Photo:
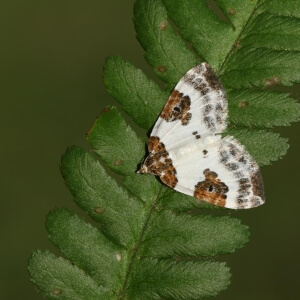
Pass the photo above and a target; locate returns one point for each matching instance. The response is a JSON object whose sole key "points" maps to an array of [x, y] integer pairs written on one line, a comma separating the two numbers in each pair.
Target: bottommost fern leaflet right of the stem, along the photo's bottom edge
{"points": [[171, 279]]}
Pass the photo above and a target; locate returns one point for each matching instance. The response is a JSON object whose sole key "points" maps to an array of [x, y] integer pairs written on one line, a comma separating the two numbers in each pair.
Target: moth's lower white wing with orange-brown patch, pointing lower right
{"points": [[219, 171]]}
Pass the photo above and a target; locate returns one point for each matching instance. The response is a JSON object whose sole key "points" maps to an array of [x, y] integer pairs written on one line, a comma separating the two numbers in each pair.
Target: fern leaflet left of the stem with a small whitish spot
{"points": [[87, 247]]}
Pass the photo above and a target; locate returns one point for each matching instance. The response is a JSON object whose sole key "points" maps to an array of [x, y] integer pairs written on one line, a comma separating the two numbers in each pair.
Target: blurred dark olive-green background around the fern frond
{"points": [[52, 55]]}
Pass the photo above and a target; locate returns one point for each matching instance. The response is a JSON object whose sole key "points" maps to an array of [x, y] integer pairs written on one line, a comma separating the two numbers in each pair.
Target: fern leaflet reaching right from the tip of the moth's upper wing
{"points": [[261, 67]]}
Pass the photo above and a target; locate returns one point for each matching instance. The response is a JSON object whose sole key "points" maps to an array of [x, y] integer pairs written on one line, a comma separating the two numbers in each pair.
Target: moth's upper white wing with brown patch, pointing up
{"points": [[196, 108]]}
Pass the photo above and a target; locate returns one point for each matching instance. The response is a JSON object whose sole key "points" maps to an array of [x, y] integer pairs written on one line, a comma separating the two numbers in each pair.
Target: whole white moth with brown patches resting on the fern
{"points": [[188, 153]]}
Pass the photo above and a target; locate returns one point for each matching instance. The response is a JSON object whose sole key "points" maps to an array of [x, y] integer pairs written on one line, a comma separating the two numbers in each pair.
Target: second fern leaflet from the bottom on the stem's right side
{"points": [[168, 234]]}
